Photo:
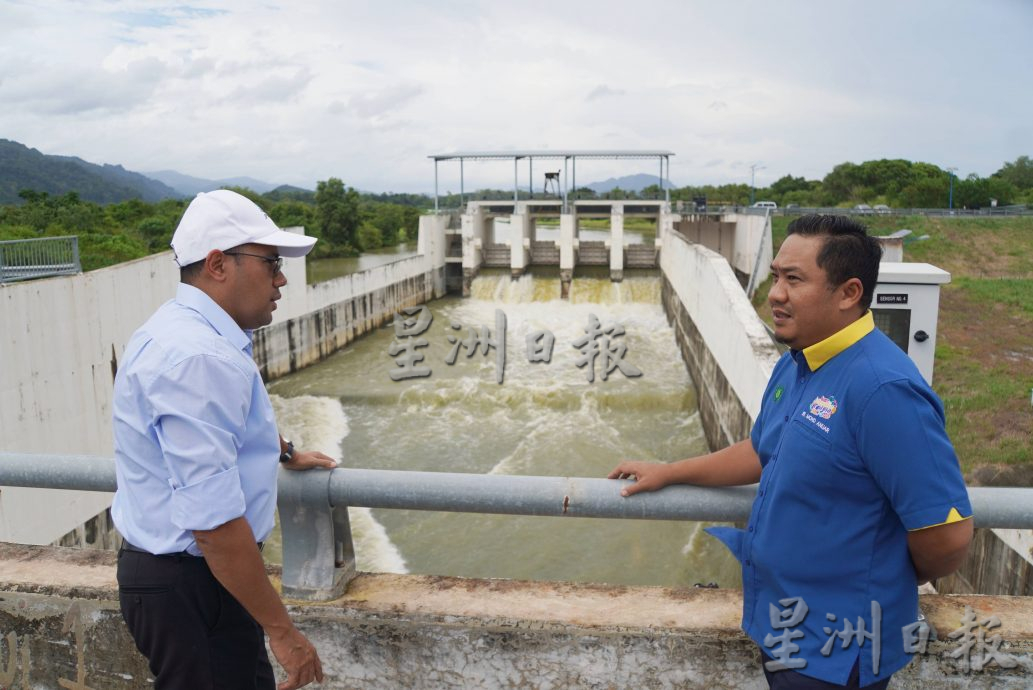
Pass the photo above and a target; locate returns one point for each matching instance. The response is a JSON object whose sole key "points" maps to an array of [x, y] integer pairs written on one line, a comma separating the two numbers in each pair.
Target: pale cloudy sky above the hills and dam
{"points": [[296, 92]]}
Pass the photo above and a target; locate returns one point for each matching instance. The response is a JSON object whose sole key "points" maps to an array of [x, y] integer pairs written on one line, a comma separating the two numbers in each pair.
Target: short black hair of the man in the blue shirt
{"points": [[849, 250]]}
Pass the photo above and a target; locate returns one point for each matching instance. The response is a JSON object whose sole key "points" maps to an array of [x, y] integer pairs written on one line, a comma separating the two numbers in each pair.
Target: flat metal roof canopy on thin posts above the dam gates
{"points": [[571, 156]]}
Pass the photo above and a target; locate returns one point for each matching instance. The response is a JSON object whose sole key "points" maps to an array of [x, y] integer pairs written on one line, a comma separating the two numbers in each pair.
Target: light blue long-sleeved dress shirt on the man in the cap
{"points": [[196, 438]]}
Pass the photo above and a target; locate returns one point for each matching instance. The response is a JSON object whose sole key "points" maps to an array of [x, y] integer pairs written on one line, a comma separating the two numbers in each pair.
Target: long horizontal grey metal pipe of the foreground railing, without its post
{"points": [[575, 497]]}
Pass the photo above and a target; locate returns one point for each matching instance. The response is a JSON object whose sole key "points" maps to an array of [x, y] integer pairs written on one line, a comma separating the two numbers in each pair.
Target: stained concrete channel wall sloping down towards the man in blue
{"points": [[724, 341]]}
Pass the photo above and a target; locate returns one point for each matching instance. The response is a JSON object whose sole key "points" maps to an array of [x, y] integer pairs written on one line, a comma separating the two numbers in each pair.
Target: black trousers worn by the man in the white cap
{"points": [[195, 635]]}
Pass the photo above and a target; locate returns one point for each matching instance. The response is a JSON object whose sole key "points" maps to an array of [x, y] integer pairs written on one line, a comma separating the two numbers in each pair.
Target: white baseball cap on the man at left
{"points": [[224, 219]]}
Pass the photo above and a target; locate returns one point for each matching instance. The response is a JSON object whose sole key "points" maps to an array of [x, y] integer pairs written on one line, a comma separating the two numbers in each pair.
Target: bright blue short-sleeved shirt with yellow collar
{"points": [[855, 455]]}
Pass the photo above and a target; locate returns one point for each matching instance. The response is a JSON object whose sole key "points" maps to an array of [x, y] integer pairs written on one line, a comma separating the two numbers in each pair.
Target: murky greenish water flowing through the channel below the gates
{"points": [[544, 420]]}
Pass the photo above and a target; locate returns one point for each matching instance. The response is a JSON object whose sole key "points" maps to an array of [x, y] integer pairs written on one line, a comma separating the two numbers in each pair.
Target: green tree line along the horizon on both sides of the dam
{"points": [[350, 223]]}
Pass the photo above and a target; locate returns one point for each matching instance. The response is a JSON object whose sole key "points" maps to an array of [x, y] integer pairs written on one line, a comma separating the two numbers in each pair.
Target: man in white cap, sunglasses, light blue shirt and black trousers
{"points": [[197, 449]]}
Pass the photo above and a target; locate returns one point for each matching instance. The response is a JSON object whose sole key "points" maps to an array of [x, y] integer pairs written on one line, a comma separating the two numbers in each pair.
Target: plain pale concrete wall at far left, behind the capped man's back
{"points": [[60, 347]]}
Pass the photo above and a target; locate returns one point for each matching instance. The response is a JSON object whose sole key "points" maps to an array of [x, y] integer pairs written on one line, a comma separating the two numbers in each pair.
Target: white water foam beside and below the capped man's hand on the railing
{"points": [[321, 424]]}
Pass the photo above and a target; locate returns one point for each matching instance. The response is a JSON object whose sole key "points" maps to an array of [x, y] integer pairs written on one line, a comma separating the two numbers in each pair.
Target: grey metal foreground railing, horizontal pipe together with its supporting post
{"points": [[319, 558]]}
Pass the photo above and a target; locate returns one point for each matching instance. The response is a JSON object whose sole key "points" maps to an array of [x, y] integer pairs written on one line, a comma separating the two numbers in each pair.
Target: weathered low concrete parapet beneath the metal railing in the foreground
{"points": [[59, 619]]}
